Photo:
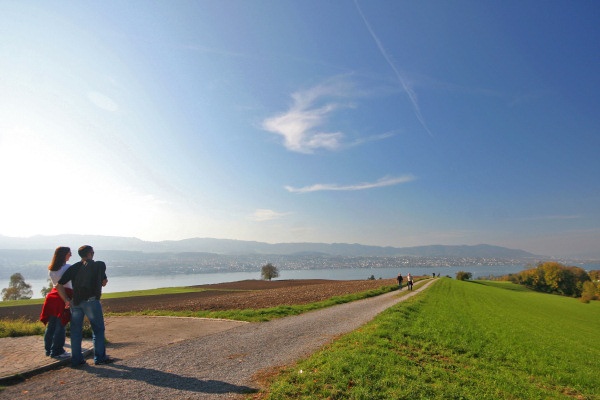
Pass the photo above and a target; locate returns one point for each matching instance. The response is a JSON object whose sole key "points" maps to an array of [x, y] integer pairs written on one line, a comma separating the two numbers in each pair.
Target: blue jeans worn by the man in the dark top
{"points": [[92, 309]]}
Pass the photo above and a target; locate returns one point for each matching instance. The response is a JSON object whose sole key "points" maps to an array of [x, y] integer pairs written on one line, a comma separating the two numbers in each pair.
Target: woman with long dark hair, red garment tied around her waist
{"points": [[54, 314]]}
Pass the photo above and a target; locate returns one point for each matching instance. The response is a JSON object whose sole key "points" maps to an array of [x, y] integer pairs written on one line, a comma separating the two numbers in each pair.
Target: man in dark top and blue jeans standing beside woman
{"points": [[87, 277]]}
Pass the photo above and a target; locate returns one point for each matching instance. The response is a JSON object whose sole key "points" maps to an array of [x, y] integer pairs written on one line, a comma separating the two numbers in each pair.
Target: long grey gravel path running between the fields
{"points": [[219, 366]]}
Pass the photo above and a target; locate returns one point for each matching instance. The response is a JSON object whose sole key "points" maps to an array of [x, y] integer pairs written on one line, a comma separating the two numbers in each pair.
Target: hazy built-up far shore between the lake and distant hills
{"points": [[125, 263]]}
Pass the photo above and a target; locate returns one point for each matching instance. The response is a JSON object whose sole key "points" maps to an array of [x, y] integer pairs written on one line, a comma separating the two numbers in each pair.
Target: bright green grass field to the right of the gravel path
{"points": [[460, 340]]}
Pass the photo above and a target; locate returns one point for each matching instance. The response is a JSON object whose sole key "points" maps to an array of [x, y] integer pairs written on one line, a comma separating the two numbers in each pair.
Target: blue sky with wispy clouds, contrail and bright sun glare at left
{"points": [[388, 123]]}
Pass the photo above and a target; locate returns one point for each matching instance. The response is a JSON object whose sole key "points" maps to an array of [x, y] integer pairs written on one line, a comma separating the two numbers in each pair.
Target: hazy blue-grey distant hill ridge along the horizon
{"points": [[240, 247]]}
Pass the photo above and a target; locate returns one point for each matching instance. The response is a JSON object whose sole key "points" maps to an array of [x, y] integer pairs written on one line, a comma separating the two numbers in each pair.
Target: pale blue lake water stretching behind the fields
{"points": [[126, 283]]}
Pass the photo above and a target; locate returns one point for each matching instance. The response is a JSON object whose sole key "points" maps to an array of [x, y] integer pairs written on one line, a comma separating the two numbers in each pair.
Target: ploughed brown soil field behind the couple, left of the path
{"points": [[226, 296]]}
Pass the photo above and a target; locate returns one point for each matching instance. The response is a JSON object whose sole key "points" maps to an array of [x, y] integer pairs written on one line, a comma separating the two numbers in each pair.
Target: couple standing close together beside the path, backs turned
{"points": [[75, 294]]}
